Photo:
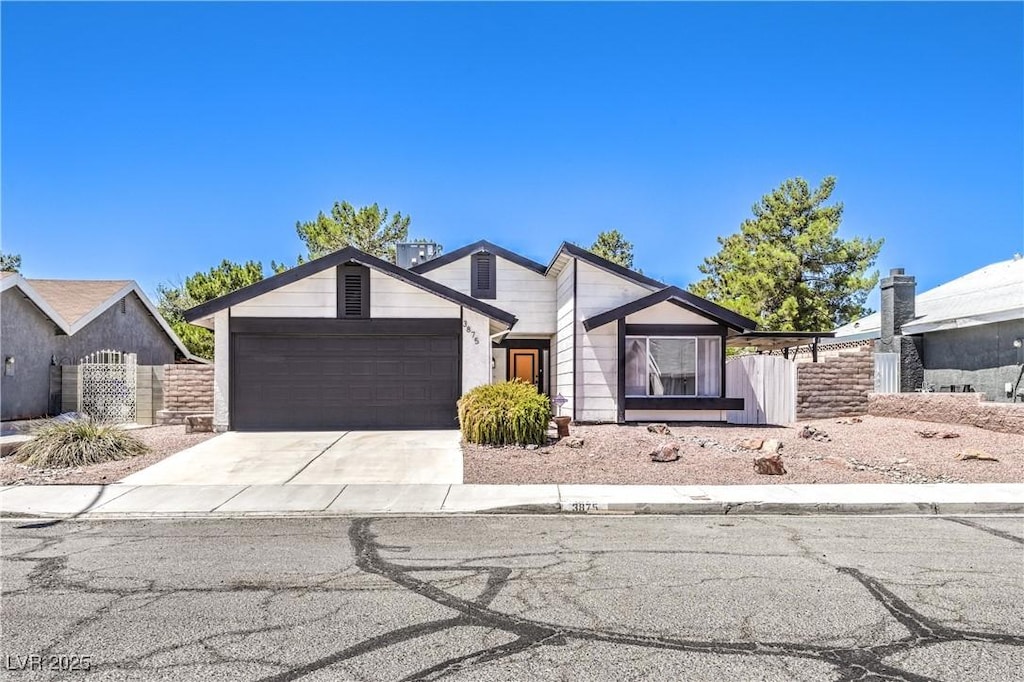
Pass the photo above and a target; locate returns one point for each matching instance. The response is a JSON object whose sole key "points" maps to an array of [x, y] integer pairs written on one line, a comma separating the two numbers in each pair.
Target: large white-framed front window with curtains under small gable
{"points": [[673, 366]]}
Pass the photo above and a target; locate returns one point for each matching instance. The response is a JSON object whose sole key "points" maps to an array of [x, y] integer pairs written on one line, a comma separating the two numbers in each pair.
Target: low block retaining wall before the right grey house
{"points": [[971, 409]]}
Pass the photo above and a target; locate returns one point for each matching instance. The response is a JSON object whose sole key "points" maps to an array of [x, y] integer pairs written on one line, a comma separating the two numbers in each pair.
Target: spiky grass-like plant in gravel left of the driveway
{"points": [[63, 445]]}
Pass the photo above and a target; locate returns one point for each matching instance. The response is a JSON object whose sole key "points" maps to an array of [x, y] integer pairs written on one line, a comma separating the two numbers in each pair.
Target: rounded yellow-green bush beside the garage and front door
{"points": [[511, 413]]}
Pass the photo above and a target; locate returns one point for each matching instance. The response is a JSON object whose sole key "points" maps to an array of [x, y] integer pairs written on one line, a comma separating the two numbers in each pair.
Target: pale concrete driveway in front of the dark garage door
{"points": [[312, 457]]}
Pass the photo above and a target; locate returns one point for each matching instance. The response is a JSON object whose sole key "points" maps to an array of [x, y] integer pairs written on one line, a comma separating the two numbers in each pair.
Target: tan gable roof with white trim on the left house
{"points": [[72, 305]]}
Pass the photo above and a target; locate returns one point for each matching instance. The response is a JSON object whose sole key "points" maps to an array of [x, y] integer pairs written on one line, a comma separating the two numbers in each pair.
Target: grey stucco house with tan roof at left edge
{"points": [[49, 323]]}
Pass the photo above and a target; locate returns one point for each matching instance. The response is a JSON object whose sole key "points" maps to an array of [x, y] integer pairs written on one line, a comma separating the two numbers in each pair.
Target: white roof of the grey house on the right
{"points": [[994, 293]]}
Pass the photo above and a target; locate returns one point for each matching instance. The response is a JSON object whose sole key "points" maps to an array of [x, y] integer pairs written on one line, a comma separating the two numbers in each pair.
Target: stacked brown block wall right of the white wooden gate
{"points": [[837, 387]]}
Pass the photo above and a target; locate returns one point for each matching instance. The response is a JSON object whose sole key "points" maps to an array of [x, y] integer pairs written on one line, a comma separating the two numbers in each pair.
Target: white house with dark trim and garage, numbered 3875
{"points": [[353, 342]]}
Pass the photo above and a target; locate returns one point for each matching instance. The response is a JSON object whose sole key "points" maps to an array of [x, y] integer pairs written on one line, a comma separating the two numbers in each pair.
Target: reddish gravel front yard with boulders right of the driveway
{"points": [[874, 451]]}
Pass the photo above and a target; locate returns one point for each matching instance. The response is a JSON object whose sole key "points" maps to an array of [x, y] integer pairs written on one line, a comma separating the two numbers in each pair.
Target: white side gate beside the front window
{"points": [[769, 387]]}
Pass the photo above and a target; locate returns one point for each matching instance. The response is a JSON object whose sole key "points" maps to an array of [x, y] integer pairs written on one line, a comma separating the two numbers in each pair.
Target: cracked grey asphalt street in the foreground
{"points": [[516, 599]]}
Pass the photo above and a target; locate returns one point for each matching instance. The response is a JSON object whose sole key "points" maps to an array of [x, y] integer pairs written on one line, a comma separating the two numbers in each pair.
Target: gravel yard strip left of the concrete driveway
{"points": [[163, 442]]}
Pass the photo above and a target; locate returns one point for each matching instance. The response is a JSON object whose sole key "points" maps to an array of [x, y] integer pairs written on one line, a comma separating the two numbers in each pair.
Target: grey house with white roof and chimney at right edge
{"points": [[966, 333]]}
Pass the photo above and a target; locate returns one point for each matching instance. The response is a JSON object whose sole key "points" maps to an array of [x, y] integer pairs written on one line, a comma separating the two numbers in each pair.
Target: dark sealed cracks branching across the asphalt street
{"points": [[852, 664]]}
